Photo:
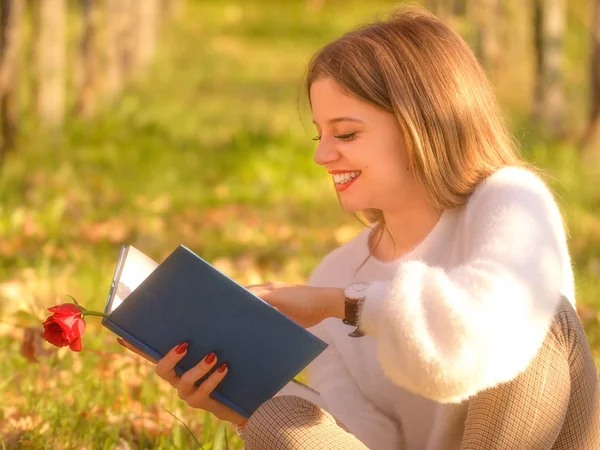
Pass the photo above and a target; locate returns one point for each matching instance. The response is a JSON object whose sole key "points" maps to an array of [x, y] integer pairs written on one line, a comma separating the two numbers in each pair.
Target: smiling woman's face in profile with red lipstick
{"points": [[363, 148]]}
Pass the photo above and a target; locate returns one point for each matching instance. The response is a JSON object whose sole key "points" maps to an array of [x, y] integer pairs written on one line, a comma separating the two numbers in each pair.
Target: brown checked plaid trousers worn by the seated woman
{"points": [[554, 404]]}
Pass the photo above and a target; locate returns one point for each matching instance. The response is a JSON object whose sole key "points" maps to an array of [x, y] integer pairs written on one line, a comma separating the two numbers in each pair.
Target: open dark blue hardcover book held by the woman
{"points": [[155, 307]]}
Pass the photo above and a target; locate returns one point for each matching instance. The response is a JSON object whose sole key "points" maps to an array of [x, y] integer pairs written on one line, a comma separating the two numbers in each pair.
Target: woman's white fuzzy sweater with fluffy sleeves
{"points": [[466, 309]]}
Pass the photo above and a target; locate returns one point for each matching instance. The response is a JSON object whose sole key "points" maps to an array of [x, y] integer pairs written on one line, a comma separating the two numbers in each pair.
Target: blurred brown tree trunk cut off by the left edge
{"points": [[11, 12]]}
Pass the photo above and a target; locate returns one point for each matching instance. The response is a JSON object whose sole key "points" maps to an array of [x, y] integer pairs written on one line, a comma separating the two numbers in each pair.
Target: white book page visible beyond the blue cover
{"points": [[136, 268]]}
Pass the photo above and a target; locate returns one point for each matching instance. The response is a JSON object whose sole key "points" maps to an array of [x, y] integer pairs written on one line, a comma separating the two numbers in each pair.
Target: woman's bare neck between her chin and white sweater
{"points": [[403, 231]]}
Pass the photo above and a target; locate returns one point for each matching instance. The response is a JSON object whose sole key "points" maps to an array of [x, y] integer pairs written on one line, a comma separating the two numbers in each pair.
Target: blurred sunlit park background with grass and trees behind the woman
{"points": [[160, 122]]}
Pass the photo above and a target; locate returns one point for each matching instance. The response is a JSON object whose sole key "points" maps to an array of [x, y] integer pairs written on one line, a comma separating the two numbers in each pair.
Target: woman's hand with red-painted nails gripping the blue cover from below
{"points": [[194, 396]]}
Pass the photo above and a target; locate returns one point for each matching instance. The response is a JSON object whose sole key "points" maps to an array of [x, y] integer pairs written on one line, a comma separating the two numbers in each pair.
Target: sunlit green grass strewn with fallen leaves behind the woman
{"points": [[212, 148]]}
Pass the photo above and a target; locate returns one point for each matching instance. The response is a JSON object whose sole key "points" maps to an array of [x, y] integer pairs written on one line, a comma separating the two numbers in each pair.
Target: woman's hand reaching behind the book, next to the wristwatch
{"points": [[306, 305]]}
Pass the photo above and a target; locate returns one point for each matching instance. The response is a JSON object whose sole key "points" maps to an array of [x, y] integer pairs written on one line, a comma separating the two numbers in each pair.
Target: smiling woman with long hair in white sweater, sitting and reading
{"points": [[467, 336]]}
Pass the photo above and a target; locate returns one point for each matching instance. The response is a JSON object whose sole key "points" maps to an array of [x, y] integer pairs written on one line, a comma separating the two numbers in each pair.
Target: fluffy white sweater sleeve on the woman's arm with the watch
{"points": [[448, 334]]}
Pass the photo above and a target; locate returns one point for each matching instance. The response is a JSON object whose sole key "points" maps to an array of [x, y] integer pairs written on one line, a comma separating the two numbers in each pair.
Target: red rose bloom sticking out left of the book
{"points": [[65, 326]]}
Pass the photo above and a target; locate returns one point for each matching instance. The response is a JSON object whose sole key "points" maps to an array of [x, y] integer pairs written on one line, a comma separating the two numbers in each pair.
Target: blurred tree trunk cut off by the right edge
{"points": [[594, 115]]}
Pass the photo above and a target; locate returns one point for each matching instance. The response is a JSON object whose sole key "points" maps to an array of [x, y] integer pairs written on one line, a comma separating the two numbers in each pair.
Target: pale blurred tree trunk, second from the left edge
{"points": [[50, 55]]}
